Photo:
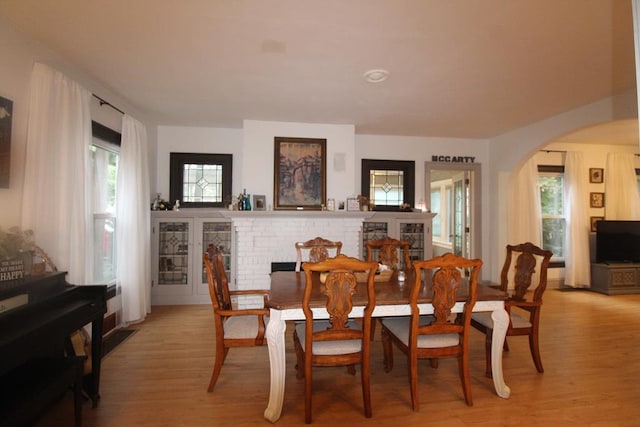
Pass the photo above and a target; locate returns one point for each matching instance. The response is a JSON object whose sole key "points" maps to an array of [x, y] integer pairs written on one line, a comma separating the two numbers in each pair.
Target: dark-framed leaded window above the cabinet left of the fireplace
{"points": [[201, 180]]}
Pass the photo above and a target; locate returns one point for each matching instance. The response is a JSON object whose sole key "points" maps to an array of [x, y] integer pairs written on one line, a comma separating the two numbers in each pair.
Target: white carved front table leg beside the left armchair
{"points": [[275, 341]]}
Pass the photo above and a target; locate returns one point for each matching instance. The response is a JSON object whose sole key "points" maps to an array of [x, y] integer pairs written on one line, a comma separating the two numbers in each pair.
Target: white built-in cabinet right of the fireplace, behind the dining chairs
{"points": [[414, 227]]}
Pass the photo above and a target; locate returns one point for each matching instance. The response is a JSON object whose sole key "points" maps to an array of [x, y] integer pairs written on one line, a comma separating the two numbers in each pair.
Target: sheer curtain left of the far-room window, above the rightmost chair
{"points": [[525, 218]]}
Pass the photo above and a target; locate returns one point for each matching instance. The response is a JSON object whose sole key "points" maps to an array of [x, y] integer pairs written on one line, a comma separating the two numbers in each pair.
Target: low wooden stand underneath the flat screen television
{"points": [[615, 278]]}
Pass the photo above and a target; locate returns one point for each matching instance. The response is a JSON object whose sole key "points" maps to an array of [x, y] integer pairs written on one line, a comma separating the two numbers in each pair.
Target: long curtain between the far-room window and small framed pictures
{"points": [[577, 261]]}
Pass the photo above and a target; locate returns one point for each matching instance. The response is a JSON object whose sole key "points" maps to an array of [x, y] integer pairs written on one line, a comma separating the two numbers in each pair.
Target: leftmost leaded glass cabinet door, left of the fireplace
{"points": [[173, 253]]}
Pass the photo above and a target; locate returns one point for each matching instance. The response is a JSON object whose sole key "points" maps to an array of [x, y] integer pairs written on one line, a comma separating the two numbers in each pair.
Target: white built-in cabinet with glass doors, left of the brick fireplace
{"points": [[178, 240]]}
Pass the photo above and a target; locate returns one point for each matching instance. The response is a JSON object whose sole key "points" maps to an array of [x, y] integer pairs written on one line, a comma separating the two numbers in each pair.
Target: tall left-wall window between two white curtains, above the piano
{"points": [[104, 155]]}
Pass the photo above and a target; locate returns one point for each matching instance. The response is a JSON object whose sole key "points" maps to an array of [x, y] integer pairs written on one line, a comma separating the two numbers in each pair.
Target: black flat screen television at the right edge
{"points": [[617, 241]]}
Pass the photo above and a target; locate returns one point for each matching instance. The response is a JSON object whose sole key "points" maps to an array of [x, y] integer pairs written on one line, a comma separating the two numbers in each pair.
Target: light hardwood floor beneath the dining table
{"points": [[590, 346]]}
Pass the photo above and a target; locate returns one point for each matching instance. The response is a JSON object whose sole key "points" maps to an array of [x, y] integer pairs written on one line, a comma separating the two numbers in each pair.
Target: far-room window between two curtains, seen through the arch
{"points": [[551, 185]]}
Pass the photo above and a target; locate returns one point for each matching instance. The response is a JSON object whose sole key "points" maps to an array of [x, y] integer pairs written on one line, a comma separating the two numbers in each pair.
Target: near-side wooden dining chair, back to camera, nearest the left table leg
{"points": [[340, 340]]}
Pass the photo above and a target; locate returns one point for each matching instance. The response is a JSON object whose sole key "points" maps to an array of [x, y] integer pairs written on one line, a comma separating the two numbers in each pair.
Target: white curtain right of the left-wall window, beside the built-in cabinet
{"points": [[133, 222]]}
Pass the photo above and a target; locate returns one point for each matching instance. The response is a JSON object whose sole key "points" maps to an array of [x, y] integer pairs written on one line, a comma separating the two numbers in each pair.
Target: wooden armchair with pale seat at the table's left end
{"points": [[234, 327]]}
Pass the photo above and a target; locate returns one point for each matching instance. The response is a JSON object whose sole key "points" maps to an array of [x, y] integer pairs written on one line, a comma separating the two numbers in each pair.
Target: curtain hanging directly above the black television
{"points": [[621, 188]]}
